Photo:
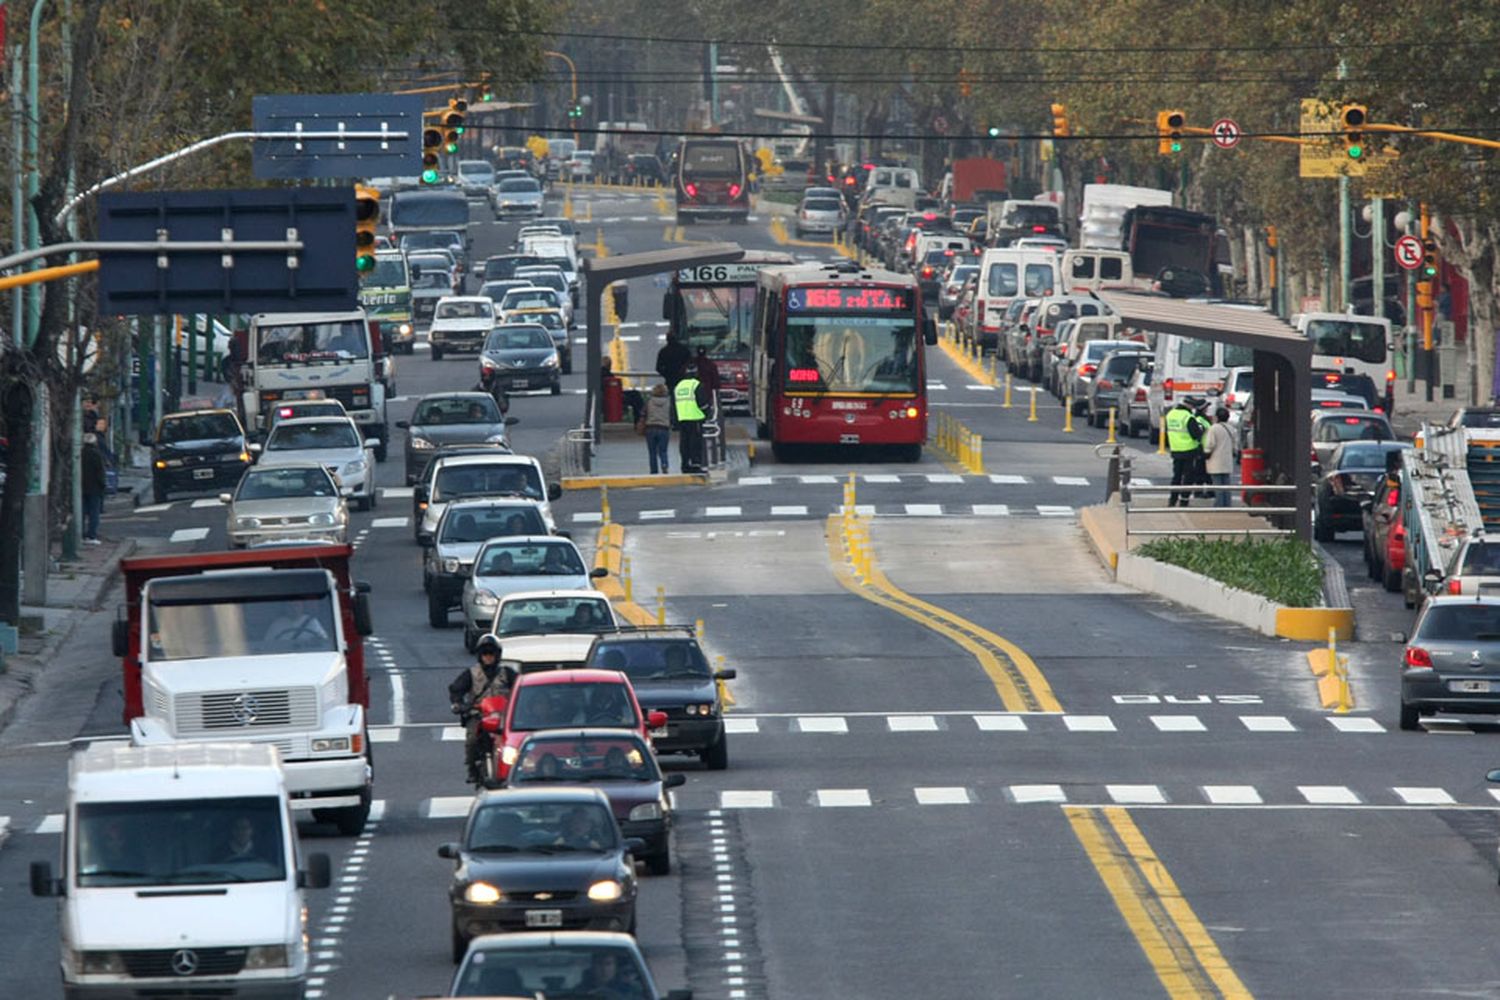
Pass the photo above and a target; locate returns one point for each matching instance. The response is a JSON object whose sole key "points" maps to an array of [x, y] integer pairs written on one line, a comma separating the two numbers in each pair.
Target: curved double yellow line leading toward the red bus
{"points": [[1016, 677]]}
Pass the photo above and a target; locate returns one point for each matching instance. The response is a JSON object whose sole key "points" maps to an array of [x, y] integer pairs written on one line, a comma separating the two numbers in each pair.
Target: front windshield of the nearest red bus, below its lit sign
{"points": [[851, 355]]}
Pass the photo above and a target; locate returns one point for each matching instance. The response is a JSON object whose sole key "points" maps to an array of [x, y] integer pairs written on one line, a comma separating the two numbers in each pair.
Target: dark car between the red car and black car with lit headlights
{"points": [[617, 762]]}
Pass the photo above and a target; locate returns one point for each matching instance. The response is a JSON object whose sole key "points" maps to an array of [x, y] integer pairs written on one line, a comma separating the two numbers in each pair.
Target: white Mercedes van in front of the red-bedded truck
{"points": [[181, 875]]}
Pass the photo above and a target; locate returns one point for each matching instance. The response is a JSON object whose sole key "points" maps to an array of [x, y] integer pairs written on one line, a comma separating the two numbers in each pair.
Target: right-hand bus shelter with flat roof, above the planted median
{"points": [[1283, 380]]}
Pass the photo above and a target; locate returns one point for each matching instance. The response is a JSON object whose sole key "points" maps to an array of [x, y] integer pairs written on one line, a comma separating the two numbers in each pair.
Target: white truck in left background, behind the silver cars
{"points": [[317, 356]]}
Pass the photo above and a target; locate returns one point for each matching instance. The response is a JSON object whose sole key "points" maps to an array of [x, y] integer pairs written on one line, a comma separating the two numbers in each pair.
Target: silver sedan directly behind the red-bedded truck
{"points": [[287, 501]]}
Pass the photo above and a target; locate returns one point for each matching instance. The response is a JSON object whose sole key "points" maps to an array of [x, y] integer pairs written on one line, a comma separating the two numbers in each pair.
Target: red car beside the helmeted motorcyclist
{"points": [[569, 699]]}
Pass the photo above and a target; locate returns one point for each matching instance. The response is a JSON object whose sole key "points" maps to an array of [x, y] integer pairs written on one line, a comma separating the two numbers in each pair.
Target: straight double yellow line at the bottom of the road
{"points": [[1178, 947]]}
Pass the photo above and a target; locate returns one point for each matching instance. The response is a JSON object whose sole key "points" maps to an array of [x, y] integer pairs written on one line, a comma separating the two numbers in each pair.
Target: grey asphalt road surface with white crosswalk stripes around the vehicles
{"points": [[1189, 822]]}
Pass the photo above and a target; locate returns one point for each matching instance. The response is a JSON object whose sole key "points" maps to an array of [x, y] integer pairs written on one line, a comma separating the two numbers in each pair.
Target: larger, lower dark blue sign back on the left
{"points": [[320, 277]]}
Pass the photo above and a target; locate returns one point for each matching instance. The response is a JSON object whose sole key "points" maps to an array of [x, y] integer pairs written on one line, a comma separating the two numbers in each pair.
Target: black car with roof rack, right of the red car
{"points": [[670, 672]]}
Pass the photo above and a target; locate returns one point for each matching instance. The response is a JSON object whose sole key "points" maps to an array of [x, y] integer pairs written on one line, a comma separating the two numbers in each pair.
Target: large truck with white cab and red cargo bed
{"points": [[259, 647]]}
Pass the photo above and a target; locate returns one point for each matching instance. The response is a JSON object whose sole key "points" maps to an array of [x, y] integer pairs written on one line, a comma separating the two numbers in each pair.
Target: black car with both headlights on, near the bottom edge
{"points": [[541, 858]]}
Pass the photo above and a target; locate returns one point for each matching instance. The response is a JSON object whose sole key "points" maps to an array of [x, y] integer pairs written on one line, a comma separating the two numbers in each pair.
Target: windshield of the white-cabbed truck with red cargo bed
{"points": [[247, 626]]}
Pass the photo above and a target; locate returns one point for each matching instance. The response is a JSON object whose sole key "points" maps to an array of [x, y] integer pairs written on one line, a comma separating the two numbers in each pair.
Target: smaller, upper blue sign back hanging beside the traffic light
{"points": [[281, 160]]}
